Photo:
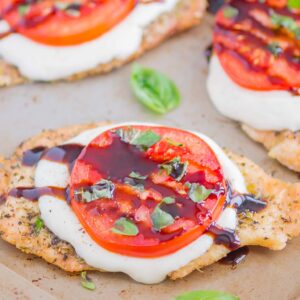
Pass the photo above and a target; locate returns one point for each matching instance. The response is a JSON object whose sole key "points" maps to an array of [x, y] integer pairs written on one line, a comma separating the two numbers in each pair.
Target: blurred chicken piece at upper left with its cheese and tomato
{"points": [[51, 40]]}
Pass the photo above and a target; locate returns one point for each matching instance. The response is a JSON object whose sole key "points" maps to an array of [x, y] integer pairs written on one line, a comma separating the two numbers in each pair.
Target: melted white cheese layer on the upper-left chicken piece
{"points": [[42, 62]]}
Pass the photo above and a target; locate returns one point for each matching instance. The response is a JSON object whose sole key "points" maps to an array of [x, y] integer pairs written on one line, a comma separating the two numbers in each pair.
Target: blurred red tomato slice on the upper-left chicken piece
{"points": [[48, 23]]}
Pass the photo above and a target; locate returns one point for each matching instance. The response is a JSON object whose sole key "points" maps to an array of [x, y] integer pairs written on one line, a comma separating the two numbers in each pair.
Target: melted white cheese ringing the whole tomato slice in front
{"points": [[61, 220]]}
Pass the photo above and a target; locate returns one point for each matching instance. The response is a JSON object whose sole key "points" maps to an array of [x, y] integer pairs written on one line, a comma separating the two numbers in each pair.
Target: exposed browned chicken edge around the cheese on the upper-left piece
{"points": [[186, 14]]}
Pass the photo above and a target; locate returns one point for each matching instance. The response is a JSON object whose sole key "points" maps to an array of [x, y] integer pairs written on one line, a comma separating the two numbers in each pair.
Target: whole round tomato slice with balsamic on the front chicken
{"points": [[108, 157]]}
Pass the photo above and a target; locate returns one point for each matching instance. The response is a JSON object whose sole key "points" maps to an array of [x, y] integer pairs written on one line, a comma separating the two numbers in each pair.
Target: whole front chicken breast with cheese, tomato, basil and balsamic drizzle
{"points": [[146, 200]]}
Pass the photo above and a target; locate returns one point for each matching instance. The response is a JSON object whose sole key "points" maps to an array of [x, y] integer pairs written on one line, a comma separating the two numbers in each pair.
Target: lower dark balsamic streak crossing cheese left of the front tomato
{"points": [[34, 193]]}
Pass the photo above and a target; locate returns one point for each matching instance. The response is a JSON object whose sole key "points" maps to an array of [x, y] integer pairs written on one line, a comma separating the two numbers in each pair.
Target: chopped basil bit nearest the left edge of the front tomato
{"points": [[102, 189]]}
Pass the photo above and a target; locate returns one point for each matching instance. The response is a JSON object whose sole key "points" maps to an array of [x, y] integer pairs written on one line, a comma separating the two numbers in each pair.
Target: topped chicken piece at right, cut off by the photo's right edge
{"points": [[254, 74]]}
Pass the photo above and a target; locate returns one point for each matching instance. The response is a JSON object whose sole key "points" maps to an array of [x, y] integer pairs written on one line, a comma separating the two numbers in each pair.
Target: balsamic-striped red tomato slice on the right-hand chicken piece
{"points": [[252, 50]]}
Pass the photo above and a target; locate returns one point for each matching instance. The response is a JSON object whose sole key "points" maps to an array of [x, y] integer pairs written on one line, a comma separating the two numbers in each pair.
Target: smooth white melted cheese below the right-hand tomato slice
{"points": [[264, 110]]}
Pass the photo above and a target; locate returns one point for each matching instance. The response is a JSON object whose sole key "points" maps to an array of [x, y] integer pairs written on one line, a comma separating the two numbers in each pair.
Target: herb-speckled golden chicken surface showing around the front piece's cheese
{"points": [[270, 228]]}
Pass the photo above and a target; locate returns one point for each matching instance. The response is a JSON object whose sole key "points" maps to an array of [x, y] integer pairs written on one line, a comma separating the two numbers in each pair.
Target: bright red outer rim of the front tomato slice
{"points": [[140, 250]]}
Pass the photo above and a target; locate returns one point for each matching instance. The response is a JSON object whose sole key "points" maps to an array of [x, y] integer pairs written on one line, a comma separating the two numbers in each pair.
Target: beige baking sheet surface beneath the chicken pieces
{"points": [[26, 110]]}
